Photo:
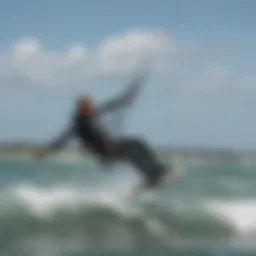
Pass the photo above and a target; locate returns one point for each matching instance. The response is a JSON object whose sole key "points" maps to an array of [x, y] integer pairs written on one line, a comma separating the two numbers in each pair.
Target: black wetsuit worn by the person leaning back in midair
{"points": [[101, 144]]}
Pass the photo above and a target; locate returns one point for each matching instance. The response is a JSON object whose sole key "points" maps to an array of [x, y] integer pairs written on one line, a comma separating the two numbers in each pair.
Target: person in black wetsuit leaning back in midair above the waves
{"points": [[108, 150]]}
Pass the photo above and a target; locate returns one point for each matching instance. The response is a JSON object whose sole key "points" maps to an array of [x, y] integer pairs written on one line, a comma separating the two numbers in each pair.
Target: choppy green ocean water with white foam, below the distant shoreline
{"points": [[67, 205]]}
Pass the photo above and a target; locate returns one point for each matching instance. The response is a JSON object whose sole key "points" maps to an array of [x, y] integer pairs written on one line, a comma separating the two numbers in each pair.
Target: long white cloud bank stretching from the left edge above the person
{"points": [[28, 59]]}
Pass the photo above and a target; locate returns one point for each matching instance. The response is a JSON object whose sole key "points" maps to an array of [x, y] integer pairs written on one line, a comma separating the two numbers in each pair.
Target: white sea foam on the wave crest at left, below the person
{"points": [[45, 201]]}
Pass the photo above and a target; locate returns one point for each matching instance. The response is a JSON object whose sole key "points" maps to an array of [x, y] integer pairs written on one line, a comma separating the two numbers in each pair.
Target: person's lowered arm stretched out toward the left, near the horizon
{"points": [[56, 144]]}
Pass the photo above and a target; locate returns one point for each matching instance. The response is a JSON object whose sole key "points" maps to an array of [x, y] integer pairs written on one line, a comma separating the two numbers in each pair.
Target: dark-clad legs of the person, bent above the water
{"points": [[143, 158]]}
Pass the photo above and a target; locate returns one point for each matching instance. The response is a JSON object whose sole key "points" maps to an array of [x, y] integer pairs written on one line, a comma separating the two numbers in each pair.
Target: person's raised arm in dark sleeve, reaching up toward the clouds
{"points": [[125, 99]]}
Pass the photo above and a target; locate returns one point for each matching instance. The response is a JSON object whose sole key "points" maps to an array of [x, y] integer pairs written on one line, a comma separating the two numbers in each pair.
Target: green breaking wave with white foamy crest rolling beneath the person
{"points": [[104, 216]]}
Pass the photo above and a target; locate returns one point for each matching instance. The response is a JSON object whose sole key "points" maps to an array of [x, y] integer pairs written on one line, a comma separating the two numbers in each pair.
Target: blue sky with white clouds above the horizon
{"points": [[202, 56]]}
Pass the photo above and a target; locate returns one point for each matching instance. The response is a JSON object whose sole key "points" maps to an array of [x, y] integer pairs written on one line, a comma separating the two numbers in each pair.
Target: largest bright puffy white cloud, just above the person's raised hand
{"points": [[122, 53]]}
